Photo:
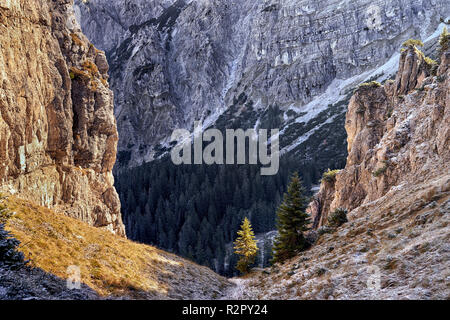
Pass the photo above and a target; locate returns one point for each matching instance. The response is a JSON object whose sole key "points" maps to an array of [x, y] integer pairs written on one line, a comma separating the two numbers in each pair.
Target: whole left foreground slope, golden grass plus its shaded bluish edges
{"points": [[111, 267]]}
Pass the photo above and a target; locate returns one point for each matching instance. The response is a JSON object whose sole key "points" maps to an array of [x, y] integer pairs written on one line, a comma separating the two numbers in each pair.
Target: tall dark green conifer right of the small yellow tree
{"points": [[292, 221]]}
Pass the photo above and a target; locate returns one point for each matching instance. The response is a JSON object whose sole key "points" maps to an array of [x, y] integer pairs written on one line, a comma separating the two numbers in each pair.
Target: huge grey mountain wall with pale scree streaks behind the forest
{"points": [[174, 62]]}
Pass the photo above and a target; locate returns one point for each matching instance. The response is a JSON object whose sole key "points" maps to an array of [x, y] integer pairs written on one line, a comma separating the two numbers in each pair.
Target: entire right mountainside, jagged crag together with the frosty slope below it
{"points": [[396, 185]]}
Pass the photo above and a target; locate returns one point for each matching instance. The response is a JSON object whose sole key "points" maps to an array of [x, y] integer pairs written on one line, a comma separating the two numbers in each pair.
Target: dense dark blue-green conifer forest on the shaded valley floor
{"points": [[196, 210]]}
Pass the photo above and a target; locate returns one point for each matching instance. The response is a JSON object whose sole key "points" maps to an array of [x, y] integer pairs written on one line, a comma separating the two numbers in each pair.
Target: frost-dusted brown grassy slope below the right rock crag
{"points": [[404, 235]]}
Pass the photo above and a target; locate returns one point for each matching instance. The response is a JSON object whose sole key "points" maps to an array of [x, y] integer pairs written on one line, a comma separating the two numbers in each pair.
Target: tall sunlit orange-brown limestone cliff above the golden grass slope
{"points": [[58, 135]]}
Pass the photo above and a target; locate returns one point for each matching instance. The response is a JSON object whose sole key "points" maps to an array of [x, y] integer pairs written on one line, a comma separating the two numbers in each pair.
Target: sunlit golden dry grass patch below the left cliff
{"points": [[109, 264]]}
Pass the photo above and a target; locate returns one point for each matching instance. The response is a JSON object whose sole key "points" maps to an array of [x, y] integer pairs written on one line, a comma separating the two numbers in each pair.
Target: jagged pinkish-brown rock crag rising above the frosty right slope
{"points": [[398, 135]]}
